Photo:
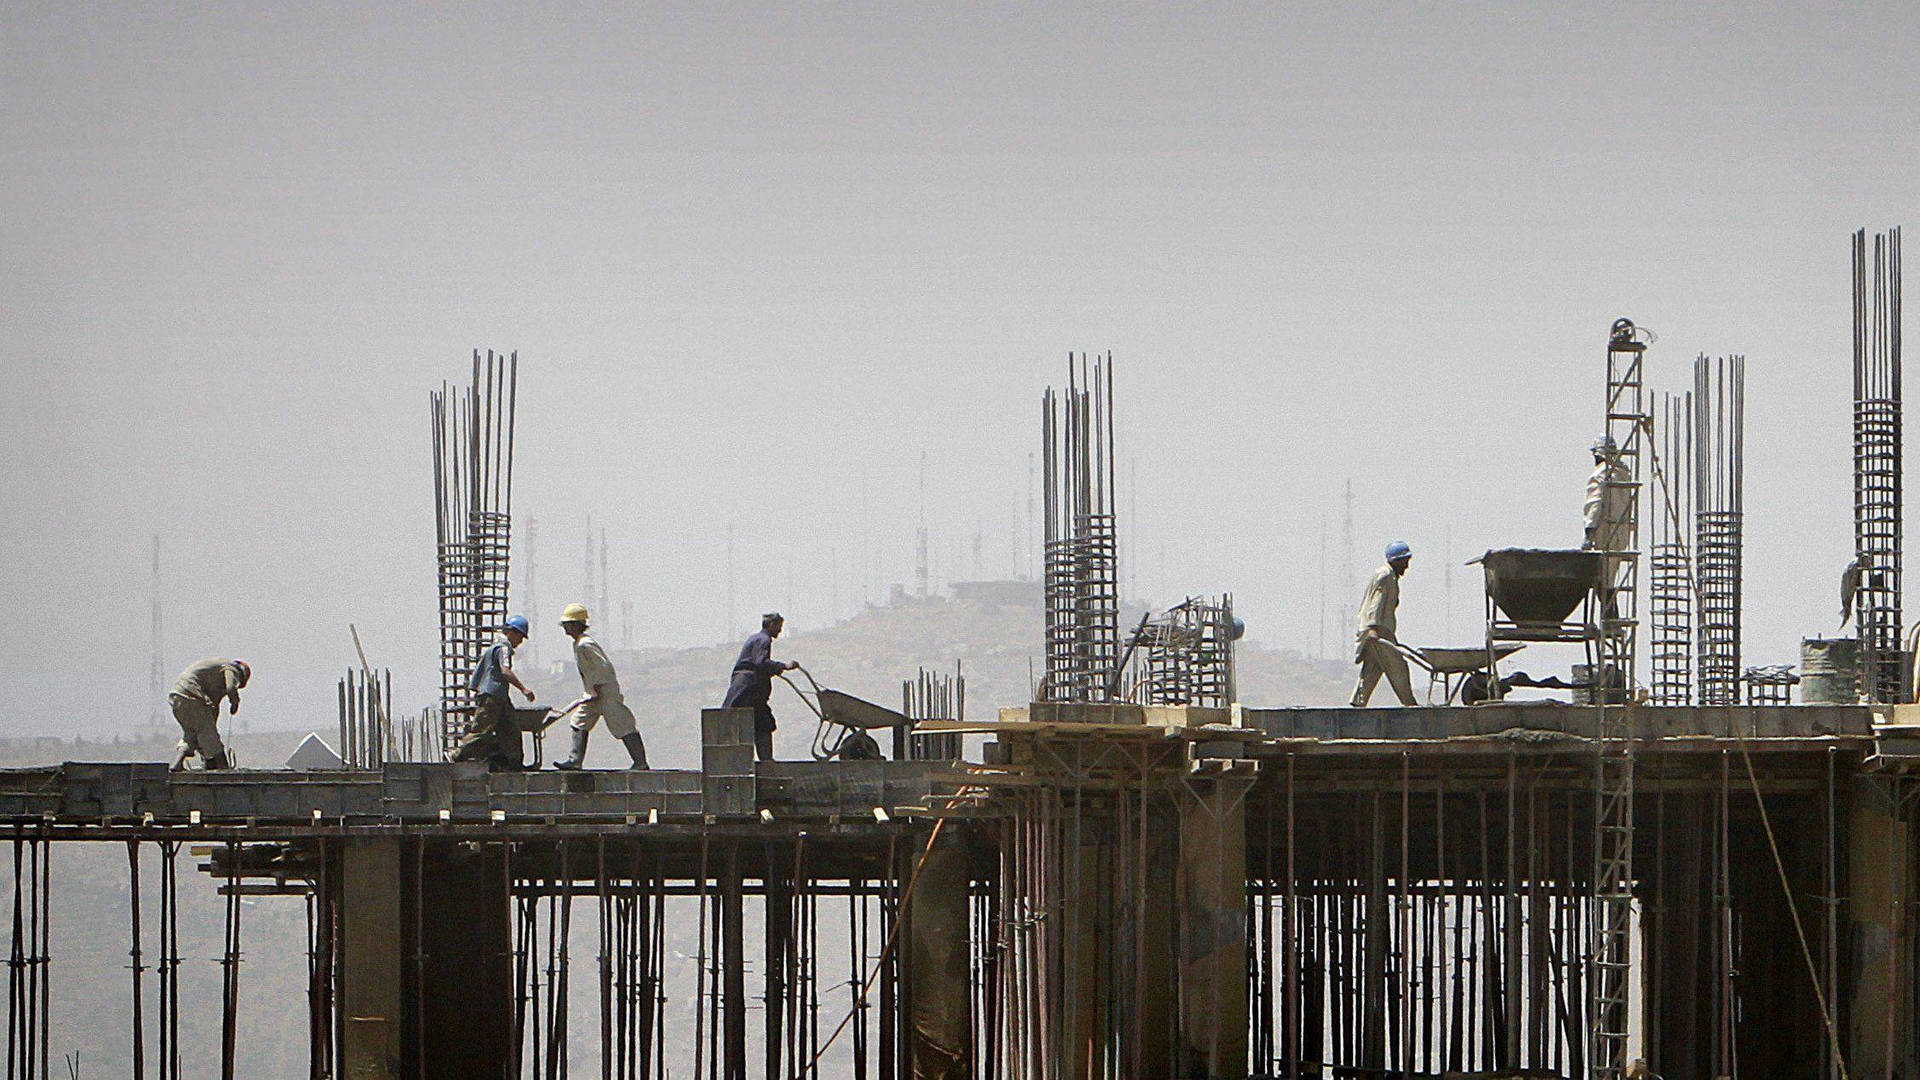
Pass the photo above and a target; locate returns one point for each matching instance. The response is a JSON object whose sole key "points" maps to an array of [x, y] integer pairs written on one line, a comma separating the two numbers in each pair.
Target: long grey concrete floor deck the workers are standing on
{"points": [[468, 798]]}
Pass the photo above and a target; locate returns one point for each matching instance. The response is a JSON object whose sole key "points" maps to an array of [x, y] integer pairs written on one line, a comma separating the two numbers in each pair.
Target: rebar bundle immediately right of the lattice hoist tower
{"points": [[1671, 556]]}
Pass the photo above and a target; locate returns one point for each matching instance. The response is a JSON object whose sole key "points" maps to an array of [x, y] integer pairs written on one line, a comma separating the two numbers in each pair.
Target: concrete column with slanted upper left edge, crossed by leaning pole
{"points": [[938, 1006]]}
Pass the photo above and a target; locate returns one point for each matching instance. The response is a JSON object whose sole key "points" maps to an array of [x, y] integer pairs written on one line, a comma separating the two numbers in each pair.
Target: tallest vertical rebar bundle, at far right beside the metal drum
{"points": [[1877, 462]]}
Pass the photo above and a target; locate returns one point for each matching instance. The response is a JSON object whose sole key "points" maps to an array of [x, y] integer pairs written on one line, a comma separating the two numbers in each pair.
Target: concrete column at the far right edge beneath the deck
{"points": [[1881, 873]]}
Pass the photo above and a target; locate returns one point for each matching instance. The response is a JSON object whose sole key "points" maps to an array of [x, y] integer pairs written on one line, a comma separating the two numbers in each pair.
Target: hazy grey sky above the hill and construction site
{"points": [[757, 260]]}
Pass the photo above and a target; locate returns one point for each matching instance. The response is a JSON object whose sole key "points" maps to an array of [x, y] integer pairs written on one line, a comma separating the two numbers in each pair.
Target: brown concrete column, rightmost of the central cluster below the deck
{"points": [[1212, 931]]}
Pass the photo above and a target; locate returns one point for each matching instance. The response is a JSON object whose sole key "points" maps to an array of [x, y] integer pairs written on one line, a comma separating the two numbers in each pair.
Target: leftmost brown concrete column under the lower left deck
{"points": [[372, 960]]}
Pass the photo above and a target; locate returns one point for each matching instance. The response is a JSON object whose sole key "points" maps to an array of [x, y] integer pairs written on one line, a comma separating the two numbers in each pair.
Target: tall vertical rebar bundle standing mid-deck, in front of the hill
{"points": [[1080, 537]]}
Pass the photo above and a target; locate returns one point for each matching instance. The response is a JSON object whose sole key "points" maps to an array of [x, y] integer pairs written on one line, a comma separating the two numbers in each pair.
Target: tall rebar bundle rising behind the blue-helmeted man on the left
{"points": [[473, 504]]}
